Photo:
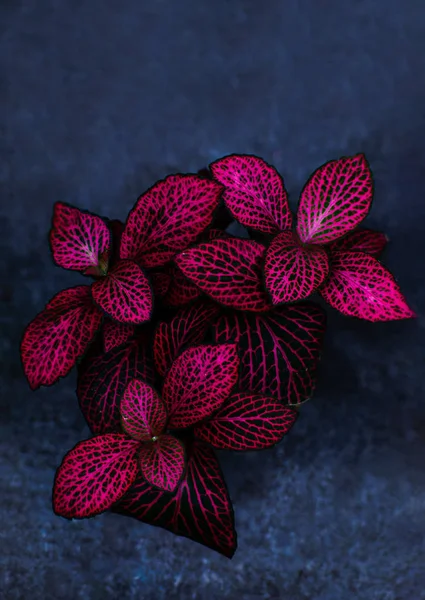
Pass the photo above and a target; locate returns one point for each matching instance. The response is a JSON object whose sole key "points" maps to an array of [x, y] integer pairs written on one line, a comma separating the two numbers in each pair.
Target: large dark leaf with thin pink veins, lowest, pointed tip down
{"points": [[200, 509]]}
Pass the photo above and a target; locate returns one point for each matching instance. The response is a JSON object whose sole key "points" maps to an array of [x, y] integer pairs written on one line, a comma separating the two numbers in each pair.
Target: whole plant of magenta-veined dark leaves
{"points": [[190, 339]]}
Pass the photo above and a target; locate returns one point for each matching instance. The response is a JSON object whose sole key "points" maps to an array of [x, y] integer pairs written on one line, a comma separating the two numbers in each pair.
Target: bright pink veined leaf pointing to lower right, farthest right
{"points": [[360, 286]]}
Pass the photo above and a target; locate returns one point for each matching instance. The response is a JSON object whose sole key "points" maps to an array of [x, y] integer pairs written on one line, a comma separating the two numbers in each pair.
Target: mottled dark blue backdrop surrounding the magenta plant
{"points": [[98, 100]]}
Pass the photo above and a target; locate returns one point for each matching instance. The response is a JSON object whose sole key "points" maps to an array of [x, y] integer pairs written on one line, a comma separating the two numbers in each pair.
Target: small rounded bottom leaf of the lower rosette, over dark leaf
{"points": [[162, 462]]}
